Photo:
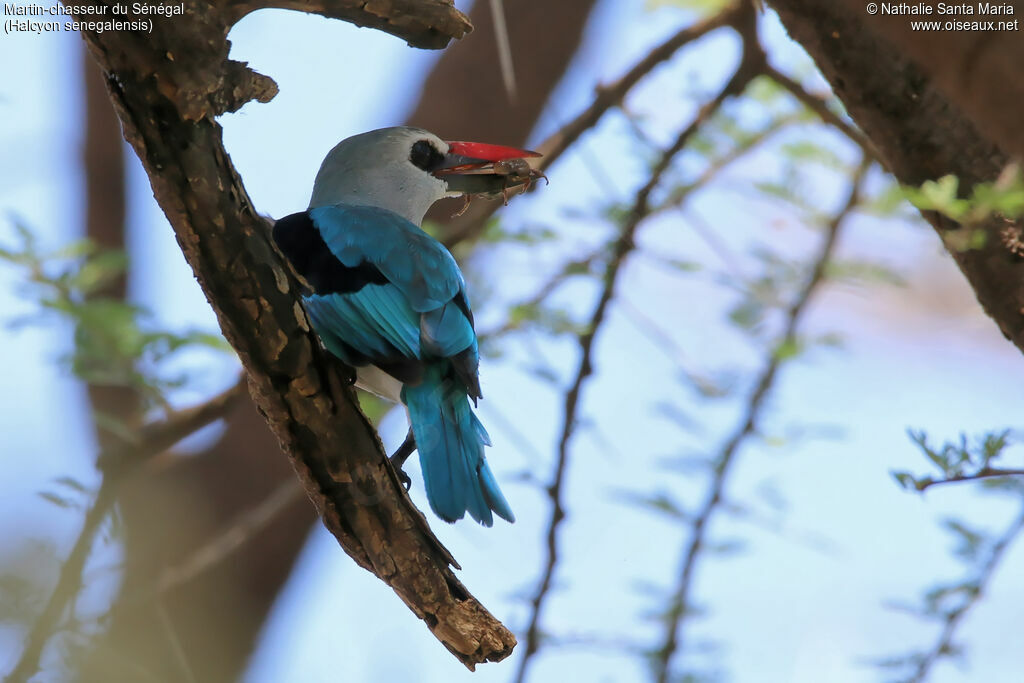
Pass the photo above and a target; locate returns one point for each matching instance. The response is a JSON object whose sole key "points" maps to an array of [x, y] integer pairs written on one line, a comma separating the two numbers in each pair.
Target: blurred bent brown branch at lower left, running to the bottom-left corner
{"points": [[154, 439]]}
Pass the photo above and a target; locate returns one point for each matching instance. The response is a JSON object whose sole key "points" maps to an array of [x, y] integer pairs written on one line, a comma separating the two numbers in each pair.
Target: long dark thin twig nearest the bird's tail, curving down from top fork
{"points": [[623, 248]]}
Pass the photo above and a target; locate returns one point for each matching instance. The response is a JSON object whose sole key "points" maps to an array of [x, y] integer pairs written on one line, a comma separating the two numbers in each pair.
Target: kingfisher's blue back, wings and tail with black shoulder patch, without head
{"points": [[386, 293]]}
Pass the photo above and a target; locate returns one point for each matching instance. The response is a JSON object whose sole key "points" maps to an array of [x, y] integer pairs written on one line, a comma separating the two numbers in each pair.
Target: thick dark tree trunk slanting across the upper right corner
{"points": [[919, 116]]}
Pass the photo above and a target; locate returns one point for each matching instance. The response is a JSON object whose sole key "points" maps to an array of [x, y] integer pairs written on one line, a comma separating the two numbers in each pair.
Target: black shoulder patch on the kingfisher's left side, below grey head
{"points": [[303, 244]]}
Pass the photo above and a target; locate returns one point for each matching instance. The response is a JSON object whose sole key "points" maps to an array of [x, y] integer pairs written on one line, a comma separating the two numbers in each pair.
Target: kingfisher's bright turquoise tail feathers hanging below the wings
{"points": [[451, 442]]}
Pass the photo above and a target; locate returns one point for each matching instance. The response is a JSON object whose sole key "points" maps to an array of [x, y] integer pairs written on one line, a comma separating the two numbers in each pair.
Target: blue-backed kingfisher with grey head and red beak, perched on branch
{"points": [[390, 301]]}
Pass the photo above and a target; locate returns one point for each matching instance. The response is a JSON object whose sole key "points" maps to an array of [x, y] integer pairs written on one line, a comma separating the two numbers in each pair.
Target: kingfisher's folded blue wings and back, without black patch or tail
{"points": [[419, 312]]}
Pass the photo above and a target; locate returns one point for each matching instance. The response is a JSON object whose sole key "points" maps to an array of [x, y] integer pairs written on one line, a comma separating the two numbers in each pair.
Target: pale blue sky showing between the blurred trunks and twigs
{"points": [[803, 605]]}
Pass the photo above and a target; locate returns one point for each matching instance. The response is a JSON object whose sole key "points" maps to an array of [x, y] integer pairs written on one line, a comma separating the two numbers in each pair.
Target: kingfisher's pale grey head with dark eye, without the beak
{"points": [[389, 168]]}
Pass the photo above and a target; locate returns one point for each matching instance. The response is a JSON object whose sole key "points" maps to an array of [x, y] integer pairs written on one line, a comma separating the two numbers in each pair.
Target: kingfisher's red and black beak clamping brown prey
{"points": [[476, 169]]}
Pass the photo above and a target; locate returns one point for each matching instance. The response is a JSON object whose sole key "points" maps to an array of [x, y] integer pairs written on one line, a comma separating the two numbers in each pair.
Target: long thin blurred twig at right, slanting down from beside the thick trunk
{"points": [[747, 428]]}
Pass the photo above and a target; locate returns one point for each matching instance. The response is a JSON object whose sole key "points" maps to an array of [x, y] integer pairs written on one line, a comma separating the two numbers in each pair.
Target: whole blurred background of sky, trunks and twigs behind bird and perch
{"points": [[705, 344]]}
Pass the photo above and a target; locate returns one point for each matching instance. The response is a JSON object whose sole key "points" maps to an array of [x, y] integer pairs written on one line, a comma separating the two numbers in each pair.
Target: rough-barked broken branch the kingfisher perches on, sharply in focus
{"points": [[167, 87]]}
